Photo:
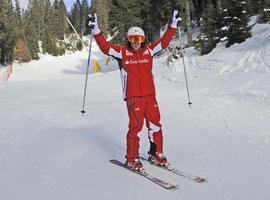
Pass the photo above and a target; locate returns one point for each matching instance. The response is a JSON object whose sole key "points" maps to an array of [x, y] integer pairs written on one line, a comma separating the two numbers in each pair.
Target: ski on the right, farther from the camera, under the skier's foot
{"points": [[184, 174]]}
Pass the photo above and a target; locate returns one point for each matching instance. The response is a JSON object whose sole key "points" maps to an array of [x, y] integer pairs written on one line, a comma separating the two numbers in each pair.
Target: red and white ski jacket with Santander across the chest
{"points": [[136, 66]]}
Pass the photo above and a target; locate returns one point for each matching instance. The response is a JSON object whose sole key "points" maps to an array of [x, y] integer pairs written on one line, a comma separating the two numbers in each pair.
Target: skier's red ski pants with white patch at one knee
{"points": [[140, 108]]}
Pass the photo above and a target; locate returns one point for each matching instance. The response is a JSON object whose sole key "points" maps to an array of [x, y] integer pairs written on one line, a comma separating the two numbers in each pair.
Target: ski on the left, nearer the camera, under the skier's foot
{"points": [[146, 175]]}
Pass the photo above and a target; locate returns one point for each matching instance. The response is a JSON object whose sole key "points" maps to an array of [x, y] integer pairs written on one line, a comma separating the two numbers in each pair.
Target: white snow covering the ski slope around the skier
{"points": [[48, 150]]}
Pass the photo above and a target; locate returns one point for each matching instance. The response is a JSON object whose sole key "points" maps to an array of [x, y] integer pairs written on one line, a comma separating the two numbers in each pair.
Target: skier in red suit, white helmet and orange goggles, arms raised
{"points": [[135, 63]]}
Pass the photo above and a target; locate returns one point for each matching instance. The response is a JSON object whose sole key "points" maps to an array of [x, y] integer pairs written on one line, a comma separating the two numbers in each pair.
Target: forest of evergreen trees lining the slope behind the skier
{"points": [[43, 26]]}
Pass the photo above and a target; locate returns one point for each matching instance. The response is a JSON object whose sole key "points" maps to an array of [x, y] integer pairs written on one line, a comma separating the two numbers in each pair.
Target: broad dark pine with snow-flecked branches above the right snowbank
{"points": [[237, 22]]}
